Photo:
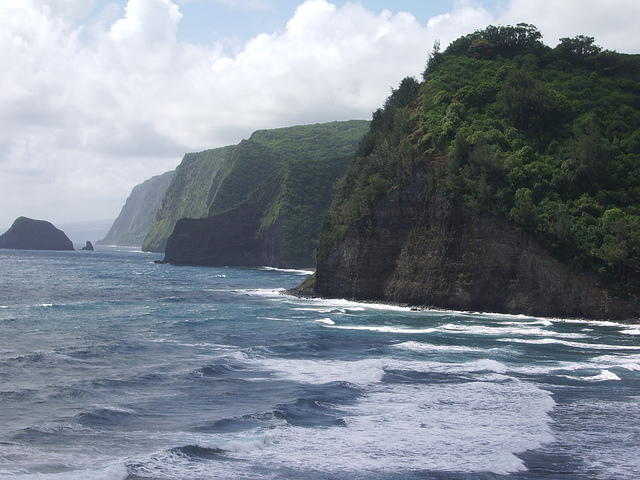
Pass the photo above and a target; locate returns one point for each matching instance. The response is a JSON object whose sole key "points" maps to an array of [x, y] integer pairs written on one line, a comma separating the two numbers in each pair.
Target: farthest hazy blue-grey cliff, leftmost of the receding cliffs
{"points": [[138, 212]]}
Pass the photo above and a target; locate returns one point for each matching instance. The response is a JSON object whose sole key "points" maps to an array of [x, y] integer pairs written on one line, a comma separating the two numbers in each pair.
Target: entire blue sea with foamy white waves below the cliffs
{"points": [[112, 367]]}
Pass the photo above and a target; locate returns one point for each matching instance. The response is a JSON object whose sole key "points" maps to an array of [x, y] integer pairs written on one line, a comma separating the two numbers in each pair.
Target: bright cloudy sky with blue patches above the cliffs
{"points": [[99, 95]]}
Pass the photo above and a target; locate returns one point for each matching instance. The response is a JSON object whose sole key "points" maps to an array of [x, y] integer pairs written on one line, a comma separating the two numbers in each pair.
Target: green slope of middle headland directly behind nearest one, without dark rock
{"points": [[299, 165]]}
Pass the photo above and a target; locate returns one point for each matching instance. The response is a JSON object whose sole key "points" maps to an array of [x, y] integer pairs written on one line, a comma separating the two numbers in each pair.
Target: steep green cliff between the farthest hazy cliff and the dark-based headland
{"points": [[189, 194]]}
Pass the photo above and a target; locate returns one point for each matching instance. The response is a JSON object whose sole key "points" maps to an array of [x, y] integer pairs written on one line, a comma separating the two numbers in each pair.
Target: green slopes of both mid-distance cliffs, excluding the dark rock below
{"points": [[291, 170]]}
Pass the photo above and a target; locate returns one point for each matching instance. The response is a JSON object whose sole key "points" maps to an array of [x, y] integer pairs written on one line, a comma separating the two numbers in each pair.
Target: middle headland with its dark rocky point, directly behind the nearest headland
{"points": [[268, 198]]}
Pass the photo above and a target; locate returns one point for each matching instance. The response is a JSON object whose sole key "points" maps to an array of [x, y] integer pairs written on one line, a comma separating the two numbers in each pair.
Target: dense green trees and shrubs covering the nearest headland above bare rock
{"points": [[547, 137]]}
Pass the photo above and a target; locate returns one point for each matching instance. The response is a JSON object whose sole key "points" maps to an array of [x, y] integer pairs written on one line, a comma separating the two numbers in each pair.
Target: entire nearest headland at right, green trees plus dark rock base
{"points": [[506, 181]]}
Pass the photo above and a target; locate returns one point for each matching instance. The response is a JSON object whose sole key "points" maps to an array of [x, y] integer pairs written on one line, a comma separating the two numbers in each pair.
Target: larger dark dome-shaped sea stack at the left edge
{"points": [[29, 234]]}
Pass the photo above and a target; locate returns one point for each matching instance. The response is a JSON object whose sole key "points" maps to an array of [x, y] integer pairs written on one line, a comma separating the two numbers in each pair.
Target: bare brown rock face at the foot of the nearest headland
{"points": [[420, 249]]}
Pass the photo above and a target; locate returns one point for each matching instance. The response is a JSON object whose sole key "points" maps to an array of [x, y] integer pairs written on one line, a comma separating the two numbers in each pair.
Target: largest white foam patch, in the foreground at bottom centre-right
{"points": [[401, 428]]}
